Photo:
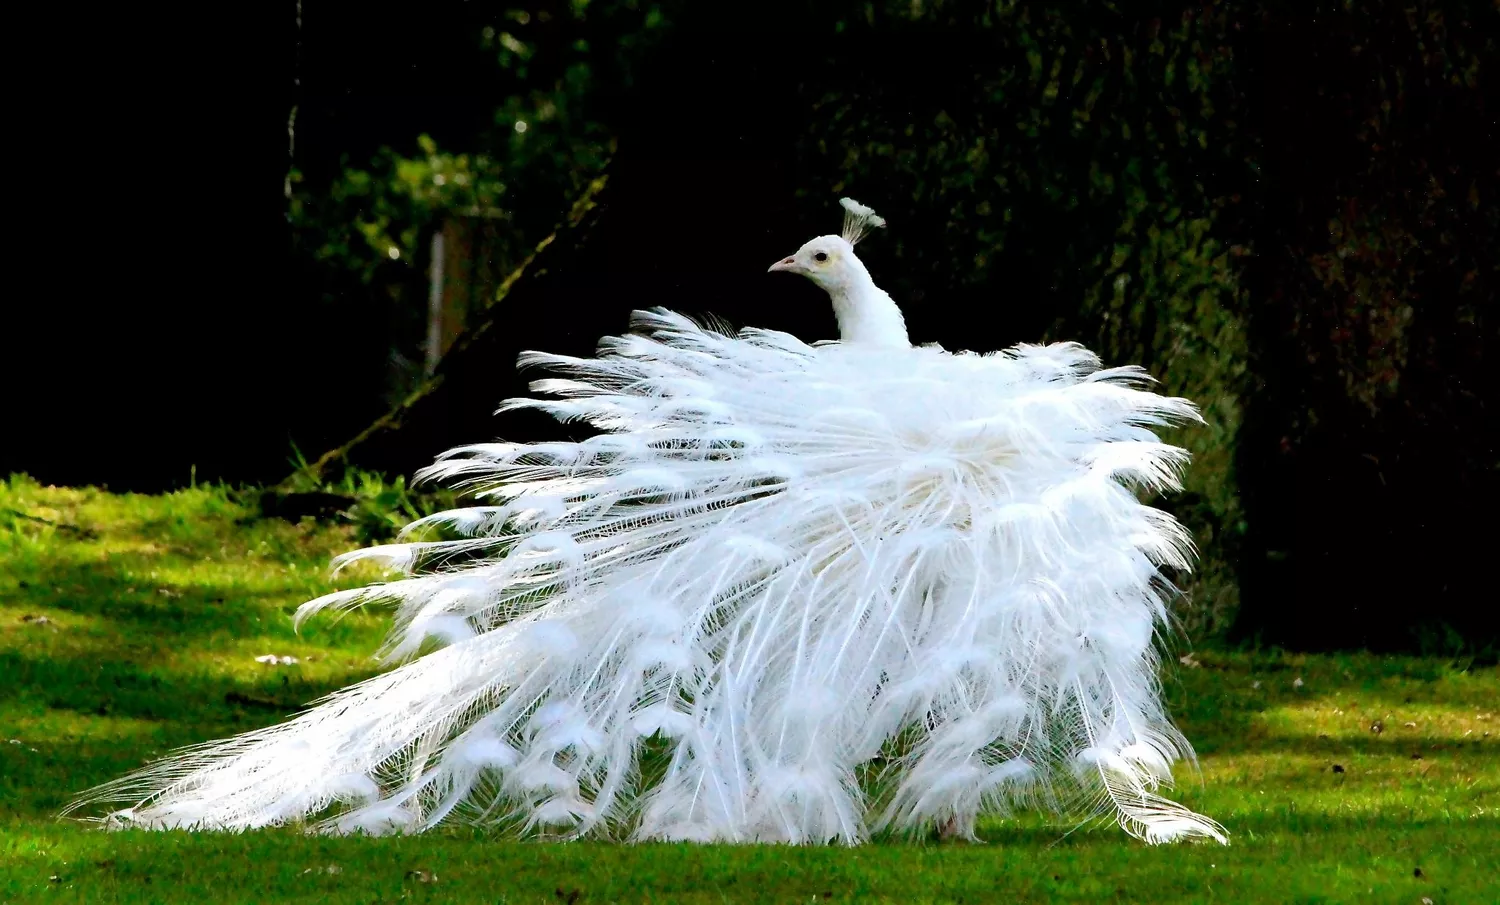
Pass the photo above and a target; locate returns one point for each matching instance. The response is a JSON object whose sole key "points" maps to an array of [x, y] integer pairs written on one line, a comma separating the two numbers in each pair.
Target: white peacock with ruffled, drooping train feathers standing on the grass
{"points": [[776, 564]]}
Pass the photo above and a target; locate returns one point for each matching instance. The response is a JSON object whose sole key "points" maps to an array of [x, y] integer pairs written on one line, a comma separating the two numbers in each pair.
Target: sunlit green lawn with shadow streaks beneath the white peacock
{"points": [[131, 625]]}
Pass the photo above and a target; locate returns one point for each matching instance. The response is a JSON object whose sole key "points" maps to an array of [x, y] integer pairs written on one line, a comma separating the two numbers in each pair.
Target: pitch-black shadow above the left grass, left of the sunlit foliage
{"points": [[173, 328]]}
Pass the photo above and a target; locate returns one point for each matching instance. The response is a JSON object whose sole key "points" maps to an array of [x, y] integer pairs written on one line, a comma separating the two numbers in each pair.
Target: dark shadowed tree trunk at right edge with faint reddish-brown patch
{"points": [[1369, 465]]}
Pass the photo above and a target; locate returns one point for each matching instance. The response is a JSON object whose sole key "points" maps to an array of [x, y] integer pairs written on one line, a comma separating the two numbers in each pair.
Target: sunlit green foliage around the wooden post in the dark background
{"points": [[560, 68]]}
